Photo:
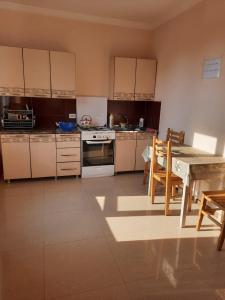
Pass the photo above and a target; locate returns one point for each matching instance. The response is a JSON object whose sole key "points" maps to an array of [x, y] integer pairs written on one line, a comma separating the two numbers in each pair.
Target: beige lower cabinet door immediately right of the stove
{"points": [[125, 155]]}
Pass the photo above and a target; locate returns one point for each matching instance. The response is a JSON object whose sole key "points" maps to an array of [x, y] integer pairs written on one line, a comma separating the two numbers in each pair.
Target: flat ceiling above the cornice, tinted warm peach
{"points": [[146, 14]]}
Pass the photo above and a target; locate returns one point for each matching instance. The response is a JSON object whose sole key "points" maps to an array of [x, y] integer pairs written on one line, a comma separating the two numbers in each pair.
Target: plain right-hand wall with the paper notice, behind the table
{"points": [[188, 102]]}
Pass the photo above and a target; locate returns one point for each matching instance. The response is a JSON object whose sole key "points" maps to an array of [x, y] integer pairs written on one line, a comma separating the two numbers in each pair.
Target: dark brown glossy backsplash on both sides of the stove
{"points": [[49, 111]]}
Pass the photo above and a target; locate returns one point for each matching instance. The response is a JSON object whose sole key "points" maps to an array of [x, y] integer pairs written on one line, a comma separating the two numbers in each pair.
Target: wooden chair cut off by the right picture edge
{"points": [[217, 199]]}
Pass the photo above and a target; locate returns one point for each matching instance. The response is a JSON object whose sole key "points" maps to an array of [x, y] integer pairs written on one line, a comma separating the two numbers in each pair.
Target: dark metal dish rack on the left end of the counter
{"points": [[16, 119]]}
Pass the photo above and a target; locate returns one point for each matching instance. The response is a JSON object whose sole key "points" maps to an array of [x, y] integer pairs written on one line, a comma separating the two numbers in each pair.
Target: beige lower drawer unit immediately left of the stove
{"points": [[68, 154]]}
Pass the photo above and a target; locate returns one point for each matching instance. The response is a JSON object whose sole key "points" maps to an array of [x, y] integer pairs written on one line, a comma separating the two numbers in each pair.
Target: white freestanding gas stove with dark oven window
{"points": [[97, 151]]}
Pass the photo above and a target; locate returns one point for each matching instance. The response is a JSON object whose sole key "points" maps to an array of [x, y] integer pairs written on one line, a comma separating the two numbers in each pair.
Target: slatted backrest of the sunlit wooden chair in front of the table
{"points": [[161, 150]]}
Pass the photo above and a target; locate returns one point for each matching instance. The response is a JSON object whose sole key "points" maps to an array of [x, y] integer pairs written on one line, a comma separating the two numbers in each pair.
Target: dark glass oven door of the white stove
{"points": [[98, 153]]}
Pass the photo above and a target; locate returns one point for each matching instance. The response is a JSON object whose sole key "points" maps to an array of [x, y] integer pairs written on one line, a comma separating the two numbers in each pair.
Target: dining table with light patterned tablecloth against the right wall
{"points": [[191, 164]]}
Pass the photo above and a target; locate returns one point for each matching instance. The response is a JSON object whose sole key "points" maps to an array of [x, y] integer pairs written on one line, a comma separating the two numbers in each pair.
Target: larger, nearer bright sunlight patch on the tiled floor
{"points": [[153, 227]]}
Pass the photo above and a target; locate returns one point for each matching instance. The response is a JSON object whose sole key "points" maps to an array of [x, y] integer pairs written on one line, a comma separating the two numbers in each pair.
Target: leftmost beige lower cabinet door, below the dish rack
{"points": [[16, 156]]}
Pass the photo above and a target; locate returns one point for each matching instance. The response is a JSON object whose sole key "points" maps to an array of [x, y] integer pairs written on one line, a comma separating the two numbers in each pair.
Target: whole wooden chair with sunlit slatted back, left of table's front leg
{"points": [[162, 150]]}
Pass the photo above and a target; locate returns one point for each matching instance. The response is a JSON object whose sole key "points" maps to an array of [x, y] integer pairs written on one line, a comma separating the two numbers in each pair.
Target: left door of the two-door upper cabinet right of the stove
{"points": [[124, 78]]}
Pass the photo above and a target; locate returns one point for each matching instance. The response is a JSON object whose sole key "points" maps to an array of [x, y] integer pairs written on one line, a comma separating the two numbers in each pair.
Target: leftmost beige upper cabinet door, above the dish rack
{"points": [[11, 71]]}
